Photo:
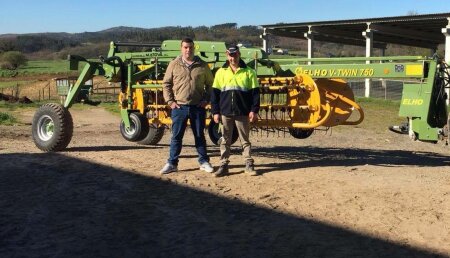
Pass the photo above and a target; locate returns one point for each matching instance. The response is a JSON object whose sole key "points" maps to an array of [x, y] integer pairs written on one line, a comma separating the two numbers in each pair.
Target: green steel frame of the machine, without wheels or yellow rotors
{"points": [[423, 102]]}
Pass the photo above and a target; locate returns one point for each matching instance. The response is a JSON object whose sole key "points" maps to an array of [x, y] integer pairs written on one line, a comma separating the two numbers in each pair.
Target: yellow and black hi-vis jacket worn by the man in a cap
{"points": [[235, 94]]}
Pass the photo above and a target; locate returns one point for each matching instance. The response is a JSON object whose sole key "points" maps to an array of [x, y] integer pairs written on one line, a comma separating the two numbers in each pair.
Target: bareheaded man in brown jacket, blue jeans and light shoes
{"points": [[186, 87]]}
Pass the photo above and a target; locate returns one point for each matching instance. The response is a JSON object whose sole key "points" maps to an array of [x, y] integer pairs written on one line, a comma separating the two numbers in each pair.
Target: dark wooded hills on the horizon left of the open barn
{"points": [[91, 44]]}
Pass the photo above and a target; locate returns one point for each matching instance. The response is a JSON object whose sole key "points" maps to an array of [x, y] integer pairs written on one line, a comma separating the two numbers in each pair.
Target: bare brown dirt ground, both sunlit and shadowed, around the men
{"points": [[349, 193]]}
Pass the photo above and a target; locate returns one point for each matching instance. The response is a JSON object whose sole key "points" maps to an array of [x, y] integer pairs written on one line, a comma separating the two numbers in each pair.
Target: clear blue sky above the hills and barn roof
{"points": [[75, 16]]}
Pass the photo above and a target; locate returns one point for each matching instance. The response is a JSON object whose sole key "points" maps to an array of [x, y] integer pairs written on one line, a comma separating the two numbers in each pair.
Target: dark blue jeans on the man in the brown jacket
{"points": [[180, 116]]}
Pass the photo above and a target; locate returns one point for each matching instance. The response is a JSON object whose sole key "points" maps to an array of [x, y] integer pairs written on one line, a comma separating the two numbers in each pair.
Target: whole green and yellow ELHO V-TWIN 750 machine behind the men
{"points": [[296, 98]]}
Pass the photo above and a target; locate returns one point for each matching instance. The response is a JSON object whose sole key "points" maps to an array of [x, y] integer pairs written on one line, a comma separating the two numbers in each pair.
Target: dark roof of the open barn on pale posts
{"points": [[412, 30]]}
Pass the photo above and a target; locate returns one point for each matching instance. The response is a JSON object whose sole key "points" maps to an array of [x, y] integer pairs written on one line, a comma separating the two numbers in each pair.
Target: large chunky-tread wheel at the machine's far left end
{"points": [[52, 127]]}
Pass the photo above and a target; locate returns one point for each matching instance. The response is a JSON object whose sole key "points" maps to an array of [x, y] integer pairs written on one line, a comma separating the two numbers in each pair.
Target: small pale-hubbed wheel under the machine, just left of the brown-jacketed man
{"points": [[138, 128]]}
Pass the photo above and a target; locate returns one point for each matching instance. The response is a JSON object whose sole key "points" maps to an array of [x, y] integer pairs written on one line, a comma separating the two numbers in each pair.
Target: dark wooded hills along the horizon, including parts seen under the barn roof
{"points": [[45, 46]]}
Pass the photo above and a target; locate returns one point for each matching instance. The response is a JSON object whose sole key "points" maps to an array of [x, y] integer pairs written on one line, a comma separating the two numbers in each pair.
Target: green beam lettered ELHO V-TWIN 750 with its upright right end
{"points": [[423, 100]]}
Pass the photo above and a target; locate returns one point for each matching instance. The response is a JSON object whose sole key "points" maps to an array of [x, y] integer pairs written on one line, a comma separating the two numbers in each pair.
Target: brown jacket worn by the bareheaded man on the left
{"points": [[187, 86]]}
